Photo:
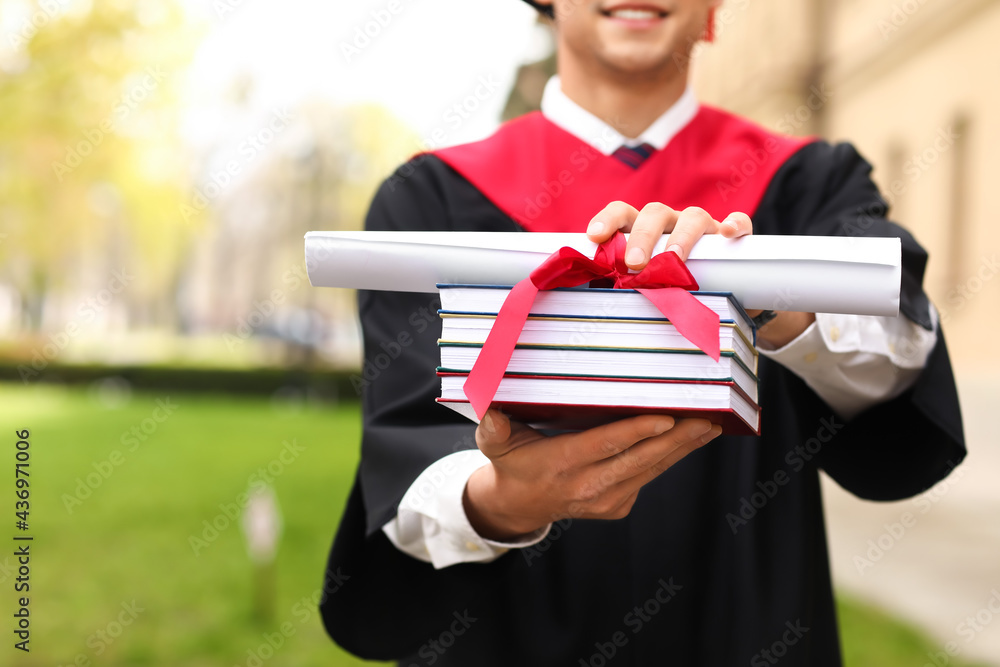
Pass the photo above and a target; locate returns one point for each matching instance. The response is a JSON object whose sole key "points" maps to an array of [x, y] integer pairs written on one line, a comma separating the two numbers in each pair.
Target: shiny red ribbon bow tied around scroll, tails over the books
{"points": [[665, 282]]}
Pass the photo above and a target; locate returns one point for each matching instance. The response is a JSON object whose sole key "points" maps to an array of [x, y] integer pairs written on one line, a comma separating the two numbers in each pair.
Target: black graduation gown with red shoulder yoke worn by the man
{"points": [[723, 559]]}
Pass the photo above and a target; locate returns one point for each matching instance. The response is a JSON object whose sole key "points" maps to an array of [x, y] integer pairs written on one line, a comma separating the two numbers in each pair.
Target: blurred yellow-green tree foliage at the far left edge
{"points": [[88, 141]]}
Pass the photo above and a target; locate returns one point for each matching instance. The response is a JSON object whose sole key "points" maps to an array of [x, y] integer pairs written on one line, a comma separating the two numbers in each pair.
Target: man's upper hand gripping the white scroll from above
{"points": [[685, 228]]}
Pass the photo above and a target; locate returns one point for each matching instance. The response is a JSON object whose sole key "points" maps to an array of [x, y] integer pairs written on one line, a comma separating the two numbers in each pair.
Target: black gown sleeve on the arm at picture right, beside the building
{"points": [[900, 447]]}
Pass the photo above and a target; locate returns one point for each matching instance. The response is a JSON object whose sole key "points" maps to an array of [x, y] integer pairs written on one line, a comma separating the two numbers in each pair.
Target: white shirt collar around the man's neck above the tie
{"points": [[570, 116]]}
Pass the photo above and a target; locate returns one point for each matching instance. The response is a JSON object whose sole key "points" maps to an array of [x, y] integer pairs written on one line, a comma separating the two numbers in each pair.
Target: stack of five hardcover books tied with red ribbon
{"points": [[589, 356]]}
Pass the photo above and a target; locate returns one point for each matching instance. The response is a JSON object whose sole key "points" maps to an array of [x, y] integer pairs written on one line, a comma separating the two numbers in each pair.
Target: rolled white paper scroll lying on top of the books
{"points": [[821, 274]]}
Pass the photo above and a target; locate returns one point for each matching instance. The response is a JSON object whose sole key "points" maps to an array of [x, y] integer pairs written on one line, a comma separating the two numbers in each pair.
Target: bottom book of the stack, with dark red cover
{"points": [[560, 403]]}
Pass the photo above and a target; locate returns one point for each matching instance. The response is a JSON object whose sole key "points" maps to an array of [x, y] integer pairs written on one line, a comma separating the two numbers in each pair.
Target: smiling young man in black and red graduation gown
{"points": [[632, 542]]}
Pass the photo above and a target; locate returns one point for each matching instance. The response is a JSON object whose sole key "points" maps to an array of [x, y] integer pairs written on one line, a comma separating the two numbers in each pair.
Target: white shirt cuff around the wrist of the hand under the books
{"points": [[431, 524]]}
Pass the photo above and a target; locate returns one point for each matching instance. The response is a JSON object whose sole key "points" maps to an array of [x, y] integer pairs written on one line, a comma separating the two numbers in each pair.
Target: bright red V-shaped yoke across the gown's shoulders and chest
{"points": [[548, 180]]}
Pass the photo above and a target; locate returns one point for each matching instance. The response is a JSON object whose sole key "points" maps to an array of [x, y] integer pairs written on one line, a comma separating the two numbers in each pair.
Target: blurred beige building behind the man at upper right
{"points": [[913, 84]]}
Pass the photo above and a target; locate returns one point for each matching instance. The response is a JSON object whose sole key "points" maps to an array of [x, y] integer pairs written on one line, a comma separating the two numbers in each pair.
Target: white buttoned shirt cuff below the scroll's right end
{"points": [[854, 362]]}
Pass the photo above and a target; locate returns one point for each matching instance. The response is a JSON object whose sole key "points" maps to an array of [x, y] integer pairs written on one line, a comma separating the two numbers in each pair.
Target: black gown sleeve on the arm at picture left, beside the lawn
{"points": [[386, 603]]}
